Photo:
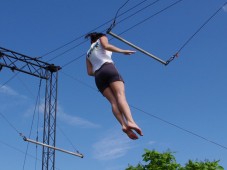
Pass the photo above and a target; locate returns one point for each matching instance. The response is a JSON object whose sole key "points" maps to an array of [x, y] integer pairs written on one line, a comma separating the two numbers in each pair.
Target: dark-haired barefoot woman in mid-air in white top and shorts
{"points": [[108, 80]]}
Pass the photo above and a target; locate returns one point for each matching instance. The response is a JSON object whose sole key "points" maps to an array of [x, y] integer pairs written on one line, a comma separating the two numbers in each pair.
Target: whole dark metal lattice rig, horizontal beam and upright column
{"points": [[49, 72]]}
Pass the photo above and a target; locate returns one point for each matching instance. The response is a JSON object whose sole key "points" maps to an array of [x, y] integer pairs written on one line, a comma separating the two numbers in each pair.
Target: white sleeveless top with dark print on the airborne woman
{"points": [[97, 55]]}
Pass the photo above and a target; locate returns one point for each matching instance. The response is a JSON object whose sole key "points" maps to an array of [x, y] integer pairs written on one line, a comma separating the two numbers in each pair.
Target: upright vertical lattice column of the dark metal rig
{"points": [[49, 131]]}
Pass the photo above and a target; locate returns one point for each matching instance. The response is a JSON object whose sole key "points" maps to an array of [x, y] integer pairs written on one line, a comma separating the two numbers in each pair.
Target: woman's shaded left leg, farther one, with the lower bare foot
{"points": [[117, 113]]}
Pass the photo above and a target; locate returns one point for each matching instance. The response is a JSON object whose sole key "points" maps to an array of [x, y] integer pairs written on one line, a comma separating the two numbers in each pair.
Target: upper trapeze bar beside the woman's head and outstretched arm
{"points": [[138, 48]]}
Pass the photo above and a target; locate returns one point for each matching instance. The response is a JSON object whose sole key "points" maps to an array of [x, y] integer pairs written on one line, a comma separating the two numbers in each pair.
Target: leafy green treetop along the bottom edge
{"points": [[166, 161]]}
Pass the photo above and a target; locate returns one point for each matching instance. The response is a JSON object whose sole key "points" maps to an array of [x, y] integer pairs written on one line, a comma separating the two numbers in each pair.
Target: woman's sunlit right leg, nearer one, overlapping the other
{"points": [[118, 91]]}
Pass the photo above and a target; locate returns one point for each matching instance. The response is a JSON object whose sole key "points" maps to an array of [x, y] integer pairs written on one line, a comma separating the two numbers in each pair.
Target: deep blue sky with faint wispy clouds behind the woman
{"points": [[190, 92]]}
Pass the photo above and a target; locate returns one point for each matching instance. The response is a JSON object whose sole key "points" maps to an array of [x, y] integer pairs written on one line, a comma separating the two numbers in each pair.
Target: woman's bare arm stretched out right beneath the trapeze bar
{"points": [[110, 47]]}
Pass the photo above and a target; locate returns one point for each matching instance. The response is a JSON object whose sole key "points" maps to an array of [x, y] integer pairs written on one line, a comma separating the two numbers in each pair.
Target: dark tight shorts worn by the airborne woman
{"points": [[106, 75]]}
